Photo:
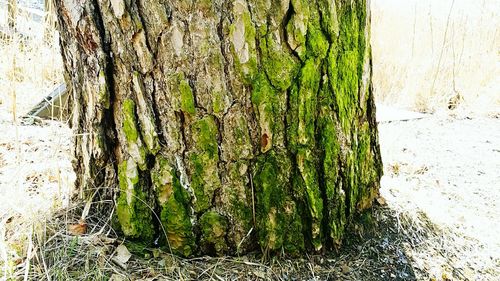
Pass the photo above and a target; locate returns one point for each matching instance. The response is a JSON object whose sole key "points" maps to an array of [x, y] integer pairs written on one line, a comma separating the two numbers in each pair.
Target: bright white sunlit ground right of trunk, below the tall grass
{"points": [[448, 171]]}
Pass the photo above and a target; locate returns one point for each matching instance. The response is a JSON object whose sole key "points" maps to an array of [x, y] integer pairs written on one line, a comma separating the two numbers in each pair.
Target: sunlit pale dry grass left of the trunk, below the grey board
{"points": [[35, 180]]}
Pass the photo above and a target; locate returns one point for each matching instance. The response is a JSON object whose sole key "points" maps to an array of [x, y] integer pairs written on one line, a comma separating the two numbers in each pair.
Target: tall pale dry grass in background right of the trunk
{"points": [[434, 55]]}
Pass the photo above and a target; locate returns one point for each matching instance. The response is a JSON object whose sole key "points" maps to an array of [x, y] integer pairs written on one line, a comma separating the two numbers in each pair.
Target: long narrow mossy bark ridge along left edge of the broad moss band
{"points": [[302, 118]]}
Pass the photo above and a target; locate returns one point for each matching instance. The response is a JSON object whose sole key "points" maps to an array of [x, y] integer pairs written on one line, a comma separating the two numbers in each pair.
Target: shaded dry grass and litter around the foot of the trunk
{"points": [[369, 254]]}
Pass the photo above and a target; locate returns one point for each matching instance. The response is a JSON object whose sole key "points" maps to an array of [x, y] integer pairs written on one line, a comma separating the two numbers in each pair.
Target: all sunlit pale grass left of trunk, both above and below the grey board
{"points": [[35, 169]]}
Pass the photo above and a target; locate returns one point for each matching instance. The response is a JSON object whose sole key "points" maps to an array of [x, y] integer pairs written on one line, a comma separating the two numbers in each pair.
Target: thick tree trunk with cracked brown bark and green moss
{"points": [[227, 125]]}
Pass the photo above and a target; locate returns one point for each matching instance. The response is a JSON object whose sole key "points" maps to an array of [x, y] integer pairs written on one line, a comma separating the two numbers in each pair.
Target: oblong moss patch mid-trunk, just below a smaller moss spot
{"points": [[203, 161]]}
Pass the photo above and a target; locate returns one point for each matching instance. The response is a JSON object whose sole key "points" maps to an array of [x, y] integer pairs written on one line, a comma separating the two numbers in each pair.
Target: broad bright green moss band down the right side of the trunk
{"points": [[336, 48]]}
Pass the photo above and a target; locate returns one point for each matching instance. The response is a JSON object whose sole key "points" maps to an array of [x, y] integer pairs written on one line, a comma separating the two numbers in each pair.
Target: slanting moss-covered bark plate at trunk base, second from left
{"points": [[174, 201]]}
